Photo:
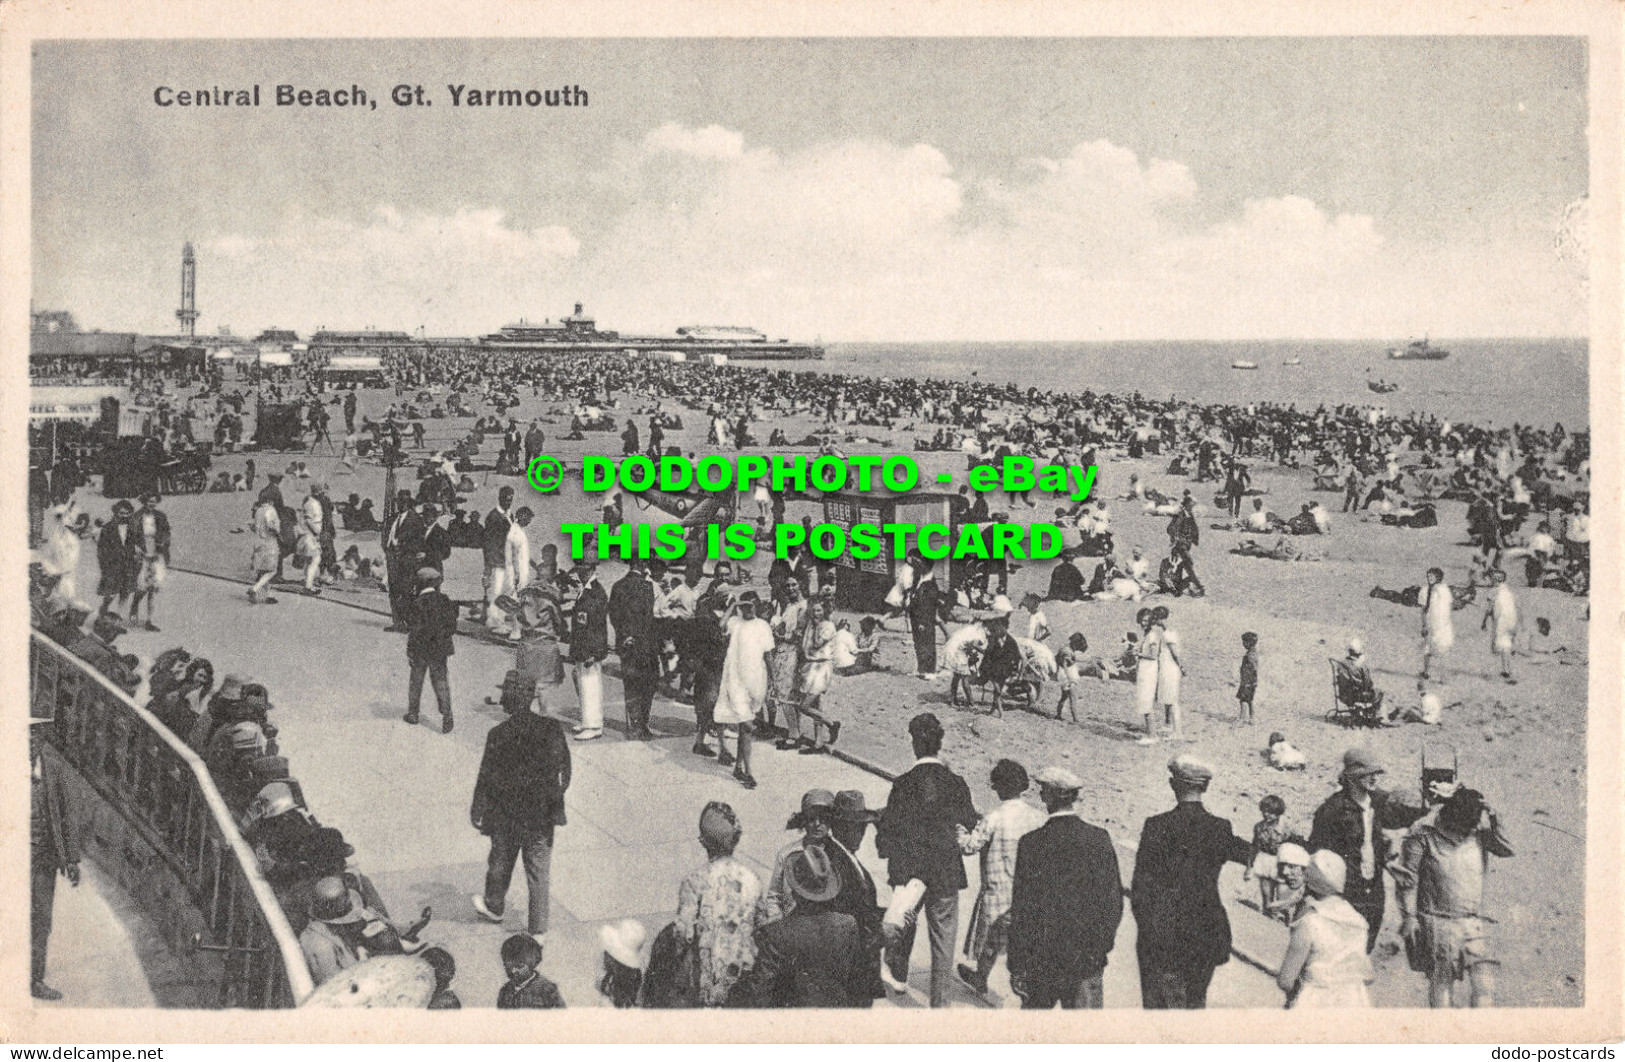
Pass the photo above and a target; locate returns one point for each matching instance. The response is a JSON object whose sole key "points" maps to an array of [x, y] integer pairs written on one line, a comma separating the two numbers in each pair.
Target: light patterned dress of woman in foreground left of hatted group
{"points": [[719, 910]]}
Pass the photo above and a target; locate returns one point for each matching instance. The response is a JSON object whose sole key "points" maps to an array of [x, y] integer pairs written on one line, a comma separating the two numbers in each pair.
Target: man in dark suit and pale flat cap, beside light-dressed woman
{"points": [[1067, 904]]}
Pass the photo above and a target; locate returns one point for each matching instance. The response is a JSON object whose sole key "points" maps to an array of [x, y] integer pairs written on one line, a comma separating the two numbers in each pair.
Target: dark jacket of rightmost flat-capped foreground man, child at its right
{"points": [[1176, 892]]}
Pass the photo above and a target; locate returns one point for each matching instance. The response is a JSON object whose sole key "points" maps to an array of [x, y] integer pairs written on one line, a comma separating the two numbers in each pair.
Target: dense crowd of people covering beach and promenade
{"points": [[758, 663]]}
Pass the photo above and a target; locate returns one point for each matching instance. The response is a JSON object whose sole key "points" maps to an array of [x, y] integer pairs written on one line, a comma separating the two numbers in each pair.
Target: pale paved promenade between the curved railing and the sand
{"points": [[401, 795]]}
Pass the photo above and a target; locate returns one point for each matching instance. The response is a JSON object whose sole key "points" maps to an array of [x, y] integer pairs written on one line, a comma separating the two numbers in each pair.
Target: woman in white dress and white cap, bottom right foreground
{"points": [[1327, 964]]}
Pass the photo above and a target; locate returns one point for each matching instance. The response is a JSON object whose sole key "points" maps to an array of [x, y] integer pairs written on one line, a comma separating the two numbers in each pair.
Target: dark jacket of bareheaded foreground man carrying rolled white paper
{"points": [[916, 835]]}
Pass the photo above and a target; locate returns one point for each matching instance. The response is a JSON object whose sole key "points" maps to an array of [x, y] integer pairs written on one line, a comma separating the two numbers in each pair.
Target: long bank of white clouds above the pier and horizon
{"points": [[869, 240]]}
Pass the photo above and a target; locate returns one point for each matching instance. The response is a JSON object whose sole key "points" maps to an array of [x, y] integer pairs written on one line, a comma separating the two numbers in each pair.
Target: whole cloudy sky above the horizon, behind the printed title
{"points": [[1106, 189]]}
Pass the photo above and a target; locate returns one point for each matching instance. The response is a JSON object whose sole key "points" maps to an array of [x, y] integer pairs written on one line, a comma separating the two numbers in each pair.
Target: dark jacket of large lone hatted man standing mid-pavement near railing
{"points": [[522, 777]]}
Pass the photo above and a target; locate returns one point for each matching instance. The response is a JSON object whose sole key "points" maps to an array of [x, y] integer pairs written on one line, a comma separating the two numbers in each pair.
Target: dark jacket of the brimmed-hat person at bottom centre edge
{"points": [[812, 959]]}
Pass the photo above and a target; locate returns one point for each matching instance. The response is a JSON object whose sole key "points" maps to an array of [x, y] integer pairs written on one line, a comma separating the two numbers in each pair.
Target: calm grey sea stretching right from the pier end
{"points": [[1483, 381]]}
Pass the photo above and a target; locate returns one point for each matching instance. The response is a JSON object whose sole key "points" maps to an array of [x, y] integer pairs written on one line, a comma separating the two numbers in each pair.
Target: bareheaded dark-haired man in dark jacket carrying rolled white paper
{"points": [[919, 842]]}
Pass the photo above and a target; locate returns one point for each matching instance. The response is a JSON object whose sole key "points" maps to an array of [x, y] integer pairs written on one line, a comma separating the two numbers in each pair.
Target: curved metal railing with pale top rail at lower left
{"points": [[165, 792]]}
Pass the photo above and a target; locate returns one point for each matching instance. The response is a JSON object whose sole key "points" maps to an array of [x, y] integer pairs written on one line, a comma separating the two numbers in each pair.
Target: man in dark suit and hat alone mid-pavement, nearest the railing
{"points": [[519, 800]]}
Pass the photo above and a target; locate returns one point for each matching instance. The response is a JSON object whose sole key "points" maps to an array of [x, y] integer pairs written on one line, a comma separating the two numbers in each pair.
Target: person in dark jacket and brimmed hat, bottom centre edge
{"points": [[813, 956]]}
